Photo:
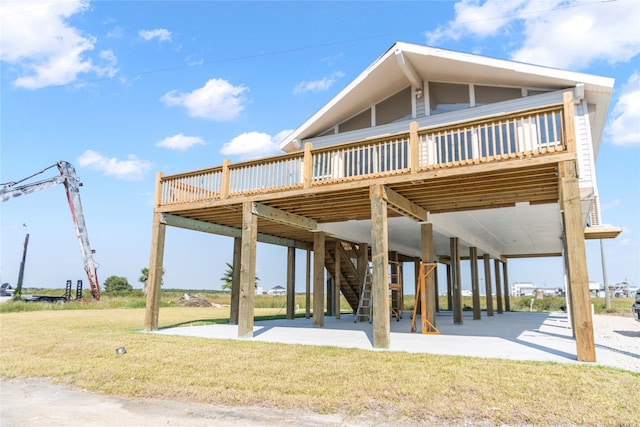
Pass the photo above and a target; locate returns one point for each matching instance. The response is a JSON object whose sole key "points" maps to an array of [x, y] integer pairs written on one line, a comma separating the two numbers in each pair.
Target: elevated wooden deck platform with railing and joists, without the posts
{"points": [[495, 162]]}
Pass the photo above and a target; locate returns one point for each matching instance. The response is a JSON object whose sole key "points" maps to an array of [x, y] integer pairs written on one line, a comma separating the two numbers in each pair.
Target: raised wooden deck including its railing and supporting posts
{"points": [[527, 157]]}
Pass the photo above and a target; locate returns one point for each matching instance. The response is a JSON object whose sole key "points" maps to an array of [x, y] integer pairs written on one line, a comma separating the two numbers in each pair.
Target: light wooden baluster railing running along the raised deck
{"points": [[523, 134]]}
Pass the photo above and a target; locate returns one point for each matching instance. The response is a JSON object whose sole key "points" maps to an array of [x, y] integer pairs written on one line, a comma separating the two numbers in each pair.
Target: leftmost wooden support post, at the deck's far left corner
{"points": [[156, 259]]}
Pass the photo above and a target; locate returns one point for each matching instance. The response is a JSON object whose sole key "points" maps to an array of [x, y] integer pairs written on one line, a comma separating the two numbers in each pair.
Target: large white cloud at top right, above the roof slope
{"points": [[564, 34]]}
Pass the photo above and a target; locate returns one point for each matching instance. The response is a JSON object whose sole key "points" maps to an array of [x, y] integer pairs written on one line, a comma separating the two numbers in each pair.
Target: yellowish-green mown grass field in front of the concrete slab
{"points": [[77, 347]]}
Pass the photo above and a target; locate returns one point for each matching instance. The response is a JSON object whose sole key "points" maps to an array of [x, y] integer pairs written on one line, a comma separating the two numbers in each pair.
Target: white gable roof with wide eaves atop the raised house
{"points": [[406, 64]]}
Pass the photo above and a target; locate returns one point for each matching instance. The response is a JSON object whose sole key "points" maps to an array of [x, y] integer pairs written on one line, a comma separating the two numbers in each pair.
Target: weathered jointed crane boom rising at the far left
{"points": [[67, 177]]}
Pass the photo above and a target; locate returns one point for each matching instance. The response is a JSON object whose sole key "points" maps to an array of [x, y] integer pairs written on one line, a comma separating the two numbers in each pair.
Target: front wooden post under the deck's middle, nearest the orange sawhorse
{"points": [[380, 261]]}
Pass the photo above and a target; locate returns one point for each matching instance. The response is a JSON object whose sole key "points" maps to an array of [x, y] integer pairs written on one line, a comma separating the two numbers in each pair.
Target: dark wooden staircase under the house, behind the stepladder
{"points": [[350, 279]]}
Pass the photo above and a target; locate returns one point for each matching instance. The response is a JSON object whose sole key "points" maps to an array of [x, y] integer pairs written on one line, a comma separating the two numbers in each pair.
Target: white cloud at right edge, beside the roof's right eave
{"points": [[624, 127]]}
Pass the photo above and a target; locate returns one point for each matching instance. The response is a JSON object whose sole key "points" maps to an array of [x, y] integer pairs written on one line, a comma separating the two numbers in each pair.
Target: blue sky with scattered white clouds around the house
{"points": [[125, 89]]}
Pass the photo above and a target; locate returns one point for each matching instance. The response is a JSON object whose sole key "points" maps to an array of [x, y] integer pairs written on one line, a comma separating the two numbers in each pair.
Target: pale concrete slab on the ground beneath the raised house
{"points": [[545, 337]]}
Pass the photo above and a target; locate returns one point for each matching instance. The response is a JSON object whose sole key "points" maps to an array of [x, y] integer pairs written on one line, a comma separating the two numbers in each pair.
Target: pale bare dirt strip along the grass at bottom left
{"points": [[29, 402]]}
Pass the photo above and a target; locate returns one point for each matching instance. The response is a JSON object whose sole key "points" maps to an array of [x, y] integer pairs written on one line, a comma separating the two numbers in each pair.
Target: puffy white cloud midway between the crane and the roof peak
{"points": [[217, 100]]}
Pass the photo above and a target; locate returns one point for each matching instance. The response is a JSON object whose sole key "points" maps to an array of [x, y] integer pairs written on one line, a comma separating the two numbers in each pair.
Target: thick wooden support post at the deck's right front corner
{"points": [[576, 260]]}
